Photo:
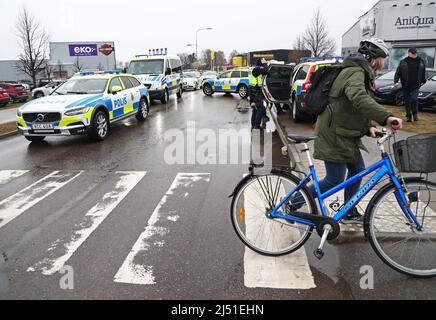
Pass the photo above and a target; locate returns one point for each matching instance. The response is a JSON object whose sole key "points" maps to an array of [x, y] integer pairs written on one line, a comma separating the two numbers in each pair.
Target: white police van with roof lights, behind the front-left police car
{"points": [[160, 73]]}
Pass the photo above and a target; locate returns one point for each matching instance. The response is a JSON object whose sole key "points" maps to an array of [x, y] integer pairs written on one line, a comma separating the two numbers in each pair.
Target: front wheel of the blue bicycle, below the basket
{"points": [[398, 242]]}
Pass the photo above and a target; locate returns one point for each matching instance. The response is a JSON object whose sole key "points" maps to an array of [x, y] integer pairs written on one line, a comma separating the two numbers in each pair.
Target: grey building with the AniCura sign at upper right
{"points": [[402, 24]]}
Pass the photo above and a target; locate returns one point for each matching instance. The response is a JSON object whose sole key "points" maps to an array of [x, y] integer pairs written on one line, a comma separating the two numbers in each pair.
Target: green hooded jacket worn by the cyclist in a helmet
{"points": [[350, 114]]}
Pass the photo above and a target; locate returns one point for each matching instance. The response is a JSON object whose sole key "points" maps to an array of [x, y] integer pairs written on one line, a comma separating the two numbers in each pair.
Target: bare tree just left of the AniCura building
{"points": [[316, 37]]}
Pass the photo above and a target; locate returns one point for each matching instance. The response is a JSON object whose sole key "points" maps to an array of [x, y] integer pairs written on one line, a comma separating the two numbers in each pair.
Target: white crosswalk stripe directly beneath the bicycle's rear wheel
{"points": [[288, 272]]}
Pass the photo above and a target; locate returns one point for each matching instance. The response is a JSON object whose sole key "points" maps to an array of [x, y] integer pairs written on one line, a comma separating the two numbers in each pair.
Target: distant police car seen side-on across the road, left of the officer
{"points": [[235, 81]]}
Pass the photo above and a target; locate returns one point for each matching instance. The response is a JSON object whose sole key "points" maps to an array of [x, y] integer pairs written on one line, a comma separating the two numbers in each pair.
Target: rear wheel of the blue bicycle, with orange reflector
{"points": [[252, 202]]}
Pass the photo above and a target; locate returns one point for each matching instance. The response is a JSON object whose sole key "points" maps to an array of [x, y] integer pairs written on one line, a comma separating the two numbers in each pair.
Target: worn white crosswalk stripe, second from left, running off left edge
{"points": [[20, 202]]}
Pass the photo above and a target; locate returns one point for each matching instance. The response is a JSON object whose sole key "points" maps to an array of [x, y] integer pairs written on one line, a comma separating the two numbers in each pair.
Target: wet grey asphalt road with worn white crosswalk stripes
{"points": [[189, 247]]}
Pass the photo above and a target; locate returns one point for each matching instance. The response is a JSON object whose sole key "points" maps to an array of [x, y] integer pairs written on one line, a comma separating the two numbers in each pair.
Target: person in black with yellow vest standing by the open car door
{"points": [[256, 95]]}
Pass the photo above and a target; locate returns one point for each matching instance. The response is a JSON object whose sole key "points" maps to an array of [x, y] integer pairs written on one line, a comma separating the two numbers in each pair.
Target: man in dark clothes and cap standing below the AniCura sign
{"points": [[411, 73]]}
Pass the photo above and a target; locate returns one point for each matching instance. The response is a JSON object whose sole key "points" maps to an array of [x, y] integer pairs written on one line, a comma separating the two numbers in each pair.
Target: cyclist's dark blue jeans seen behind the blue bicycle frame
{"points": [[336, 173]]}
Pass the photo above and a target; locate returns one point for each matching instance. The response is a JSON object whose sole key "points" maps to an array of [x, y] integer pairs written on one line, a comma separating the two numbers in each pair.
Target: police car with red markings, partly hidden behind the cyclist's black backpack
{"points": [[301, 80]]}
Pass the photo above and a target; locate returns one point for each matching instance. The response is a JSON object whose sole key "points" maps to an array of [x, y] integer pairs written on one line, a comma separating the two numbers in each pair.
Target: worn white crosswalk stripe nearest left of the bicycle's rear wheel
{"points": [[134, 273]]}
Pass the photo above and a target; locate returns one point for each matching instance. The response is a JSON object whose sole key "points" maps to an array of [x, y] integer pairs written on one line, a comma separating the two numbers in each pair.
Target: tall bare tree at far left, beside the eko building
{"points": [[33, 41]]}
